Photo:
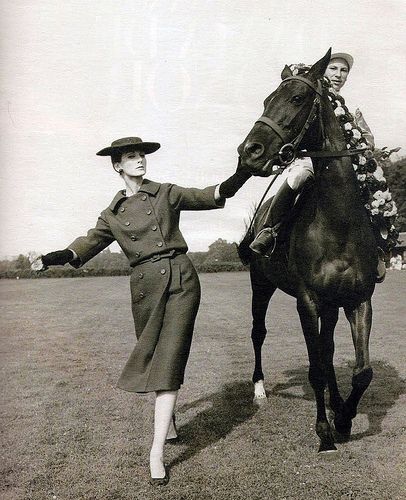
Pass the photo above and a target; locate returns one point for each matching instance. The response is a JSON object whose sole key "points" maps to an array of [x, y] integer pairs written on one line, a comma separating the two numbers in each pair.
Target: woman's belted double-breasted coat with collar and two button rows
{"points": [[165, 288]]}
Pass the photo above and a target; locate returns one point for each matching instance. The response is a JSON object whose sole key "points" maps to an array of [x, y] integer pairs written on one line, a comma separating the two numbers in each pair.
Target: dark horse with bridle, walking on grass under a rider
{"points": [[330, 256]]}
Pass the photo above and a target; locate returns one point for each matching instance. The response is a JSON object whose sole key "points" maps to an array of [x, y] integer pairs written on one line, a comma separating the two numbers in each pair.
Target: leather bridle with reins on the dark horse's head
{"points": [[290, 149]]}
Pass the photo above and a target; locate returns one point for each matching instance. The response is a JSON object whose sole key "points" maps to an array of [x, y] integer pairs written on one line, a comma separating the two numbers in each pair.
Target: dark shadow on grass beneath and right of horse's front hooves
{"points": [[385, 389]]}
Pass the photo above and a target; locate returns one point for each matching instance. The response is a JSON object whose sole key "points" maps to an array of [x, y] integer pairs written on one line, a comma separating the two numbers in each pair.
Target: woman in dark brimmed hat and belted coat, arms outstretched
{"points": [[165, 289]]}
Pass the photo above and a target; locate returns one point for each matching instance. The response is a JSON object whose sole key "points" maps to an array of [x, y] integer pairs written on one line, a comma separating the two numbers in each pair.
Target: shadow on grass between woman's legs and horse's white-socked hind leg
{"points": [[229, 408]]}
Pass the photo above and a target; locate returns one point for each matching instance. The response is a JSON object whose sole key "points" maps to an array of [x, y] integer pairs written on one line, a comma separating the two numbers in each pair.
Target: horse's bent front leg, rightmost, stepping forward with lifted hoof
{"points": [[360, 320]]}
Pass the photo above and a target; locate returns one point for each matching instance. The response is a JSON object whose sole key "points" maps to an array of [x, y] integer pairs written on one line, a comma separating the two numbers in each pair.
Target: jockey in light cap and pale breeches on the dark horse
{"points": [[302, 170]]}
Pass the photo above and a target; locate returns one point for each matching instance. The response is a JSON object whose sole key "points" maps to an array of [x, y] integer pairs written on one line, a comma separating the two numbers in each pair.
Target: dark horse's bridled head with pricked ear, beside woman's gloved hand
{"points": [[288, 113]]}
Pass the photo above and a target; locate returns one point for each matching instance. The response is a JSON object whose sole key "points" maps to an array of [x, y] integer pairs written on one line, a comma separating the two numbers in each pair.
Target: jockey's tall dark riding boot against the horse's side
{"points": [[264, 242]]}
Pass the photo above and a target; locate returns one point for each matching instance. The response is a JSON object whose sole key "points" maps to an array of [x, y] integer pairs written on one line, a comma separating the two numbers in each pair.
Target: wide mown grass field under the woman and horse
{"points": [[68, 433]]}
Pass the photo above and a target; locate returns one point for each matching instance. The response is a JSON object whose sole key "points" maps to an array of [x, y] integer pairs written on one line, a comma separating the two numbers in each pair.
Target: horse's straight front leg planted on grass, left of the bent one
{"points": [[308, 314]]}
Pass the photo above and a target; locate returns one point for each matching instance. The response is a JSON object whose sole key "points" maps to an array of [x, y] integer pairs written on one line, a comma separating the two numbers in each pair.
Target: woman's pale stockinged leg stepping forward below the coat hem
{"points": [[164, 407]]}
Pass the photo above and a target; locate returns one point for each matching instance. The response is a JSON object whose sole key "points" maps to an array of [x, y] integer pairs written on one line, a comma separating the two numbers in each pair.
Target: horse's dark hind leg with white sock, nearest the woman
{"points": [[261, 295]]}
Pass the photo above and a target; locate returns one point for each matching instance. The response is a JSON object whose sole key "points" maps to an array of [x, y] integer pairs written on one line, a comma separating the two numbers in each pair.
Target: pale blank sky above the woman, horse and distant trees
{"points": [[189, 74]]}
